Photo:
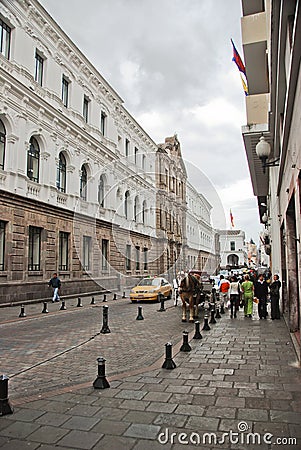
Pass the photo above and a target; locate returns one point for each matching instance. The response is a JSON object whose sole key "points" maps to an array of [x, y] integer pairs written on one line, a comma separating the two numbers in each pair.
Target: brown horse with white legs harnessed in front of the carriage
{"points": [[190, 290]]}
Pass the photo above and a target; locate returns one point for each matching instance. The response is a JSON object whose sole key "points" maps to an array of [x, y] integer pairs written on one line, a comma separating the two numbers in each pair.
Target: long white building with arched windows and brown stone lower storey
{"points": [[85, 191]]}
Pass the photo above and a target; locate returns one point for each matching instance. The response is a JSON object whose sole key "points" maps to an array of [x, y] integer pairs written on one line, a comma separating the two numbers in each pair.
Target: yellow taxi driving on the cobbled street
{"points": [[150, 289]]}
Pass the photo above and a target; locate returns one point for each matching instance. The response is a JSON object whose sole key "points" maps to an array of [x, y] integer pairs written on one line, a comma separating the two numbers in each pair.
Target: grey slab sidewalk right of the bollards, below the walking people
{"points": [[242, 377]]}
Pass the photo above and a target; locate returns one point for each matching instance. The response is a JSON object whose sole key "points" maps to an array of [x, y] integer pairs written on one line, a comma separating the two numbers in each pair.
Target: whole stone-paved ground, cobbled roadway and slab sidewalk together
{"points": [[241, 380]]}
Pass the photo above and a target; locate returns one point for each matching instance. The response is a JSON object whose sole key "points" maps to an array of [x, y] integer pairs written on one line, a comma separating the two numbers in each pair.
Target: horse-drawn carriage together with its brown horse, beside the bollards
{"points": [[196, 290]]}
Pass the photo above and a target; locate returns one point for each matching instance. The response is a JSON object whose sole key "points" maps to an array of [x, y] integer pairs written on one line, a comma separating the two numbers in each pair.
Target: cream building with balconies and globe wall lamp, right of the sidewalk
{"points": [[271, 38]]}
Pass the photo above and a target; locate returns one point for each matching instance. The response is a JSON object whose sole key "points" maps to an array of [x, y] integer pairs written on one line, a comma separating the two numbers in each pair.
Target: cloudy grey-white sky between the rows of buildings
{"points": [[171, 62]]}
